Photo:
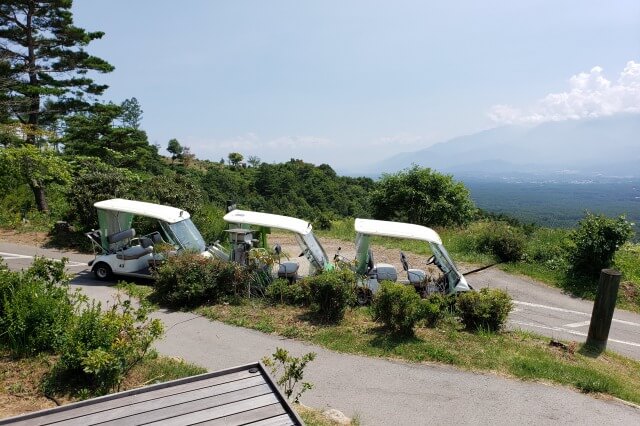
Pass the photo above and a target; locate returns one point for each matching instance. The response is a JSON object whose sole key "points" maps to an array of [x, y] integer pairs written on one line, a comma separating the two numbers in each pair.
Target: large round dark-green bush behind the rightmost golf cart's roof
{"points": [[422, 196]]}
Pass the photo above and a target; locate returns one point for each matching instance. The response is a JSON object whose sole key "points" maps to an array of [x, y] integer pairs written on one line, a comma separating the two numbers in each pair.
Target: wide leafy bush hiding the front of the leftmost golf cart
{"points": [[191, 279]]}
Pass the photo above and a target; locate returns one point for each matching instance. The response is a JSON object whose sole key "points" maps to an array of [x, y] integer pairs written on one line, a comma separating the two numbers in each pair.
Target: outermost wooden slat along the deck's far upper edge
{"points": [[132, 397]]}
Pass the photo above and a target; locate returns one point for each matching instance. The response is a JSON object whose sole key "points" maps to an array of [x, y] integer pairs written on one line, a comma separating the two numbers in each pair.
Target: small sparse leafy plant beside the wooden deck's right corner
{"points": [[289, 370]]}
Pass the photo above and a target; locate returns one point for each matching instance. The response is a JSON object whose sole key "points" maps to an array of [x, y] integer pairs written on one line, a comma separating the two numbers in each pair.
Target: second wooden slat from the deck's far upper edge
{"points": [[166, 401]]}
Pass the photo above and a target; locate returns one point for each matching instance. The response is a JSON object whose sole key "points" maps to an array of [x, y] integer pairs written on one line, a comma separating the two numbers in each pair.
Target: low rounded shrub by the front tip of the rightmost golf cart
{"points": [[486, 309]]}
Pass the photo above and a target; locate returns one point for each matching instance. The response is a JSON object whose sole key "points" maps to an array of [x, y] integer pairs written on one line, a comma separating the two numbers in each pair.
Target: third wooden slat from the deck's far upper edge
{"points": [[161, 413]]}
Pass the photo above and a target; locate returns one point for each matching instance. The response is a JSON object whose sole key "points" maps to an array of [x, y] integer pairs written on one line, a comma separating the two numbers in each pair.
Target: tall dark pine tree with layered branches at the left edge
{"points": [[45, 76]]}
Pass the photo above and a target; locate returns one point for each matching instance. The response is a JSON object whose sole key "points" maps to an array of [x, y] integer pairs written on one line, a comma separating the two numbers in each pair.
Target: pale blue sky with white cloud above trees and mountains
{"points": [[349, 83]]}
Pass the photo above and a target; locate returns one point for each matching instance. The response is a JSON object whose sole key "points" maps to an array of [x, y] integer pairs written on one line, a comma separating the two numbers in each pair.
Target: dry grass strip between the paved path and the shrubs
{"points": [[518, 354]]}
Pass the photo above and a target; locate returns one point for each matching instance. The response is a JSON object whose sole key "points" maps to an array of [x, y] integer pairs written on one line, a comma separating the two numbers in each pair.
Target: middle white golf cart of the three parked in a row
{"points": [[243, 241]]}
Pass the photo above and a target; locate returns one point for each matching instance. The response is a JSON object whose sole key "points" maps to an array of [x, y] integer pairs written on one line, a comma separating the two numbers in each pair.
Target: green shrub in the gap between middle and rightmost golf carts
{"points": [[331, 293]]}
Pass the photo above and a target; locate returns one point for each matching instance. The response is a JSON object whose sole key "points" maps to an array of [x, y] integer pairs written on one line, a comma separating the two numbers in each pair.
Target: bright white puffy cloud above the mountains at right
{"points": [[590, 95]]}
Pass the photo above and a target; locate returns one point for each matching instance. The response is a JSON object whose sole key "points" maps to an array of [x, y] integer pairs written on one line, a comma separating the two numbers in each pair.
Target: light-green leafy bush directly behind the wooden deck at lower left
{"points": [[99, 347]]}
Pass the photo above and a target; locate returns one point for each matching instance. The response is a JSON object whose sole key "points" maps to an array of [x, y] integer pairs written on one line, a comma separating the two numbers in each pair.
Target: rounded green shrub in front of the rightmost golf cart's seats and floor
{"points": [[398, 307]]}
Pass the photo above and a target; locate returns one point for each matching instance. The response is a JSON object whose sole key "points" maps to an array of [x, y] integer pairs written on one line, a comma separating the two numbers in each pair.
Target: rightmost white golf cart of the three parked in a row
{"points": [[448, 282]]}
